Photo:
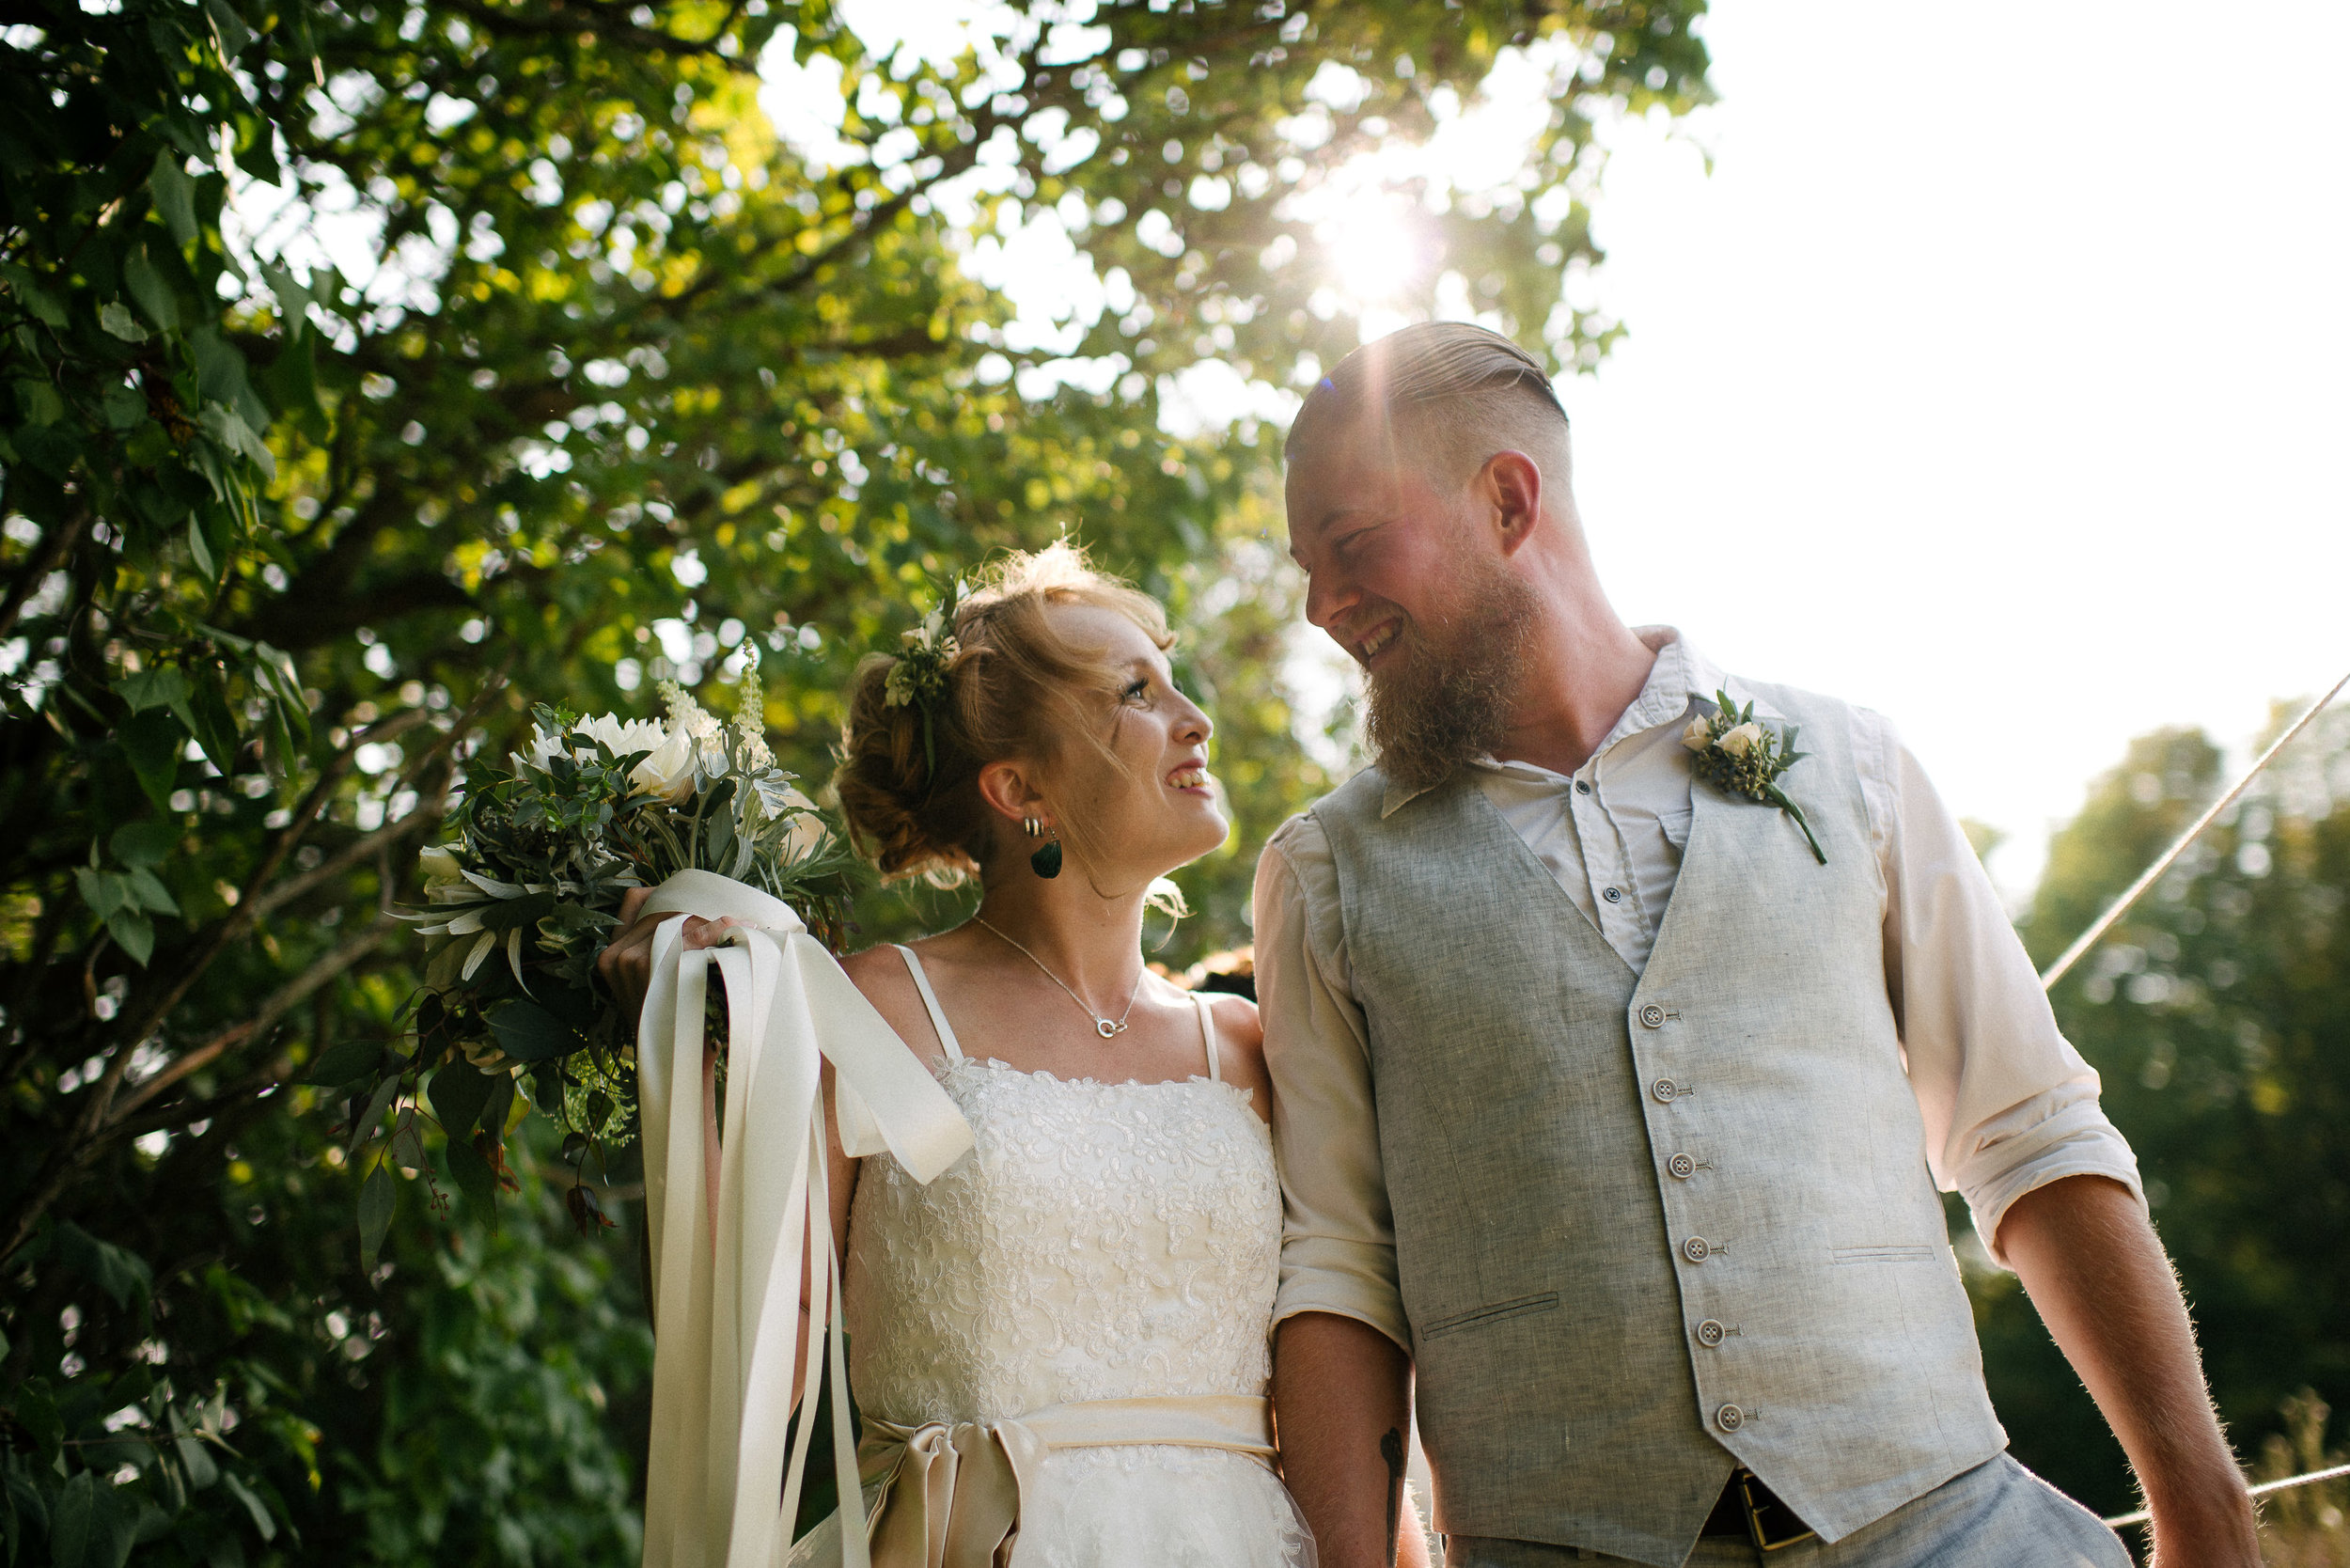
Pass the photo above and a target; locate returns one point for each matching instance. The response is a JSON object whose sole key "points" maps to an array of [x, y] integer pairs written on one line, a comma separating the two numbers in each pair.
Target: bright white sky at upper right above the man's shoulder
{"points": [[1992, 380]]}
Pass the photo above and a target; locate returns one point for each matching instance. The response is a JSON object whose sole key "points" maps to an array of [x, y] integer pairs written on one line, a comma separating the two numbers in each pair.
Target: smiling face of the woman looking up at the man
{"points": [[1160, 808]]}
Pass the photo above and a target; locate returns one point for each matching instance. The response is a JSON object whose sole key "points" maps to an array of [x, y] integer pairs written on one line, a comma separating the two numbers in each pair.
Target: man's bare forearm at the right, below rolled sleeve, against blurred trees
{"points": [[2107, 1294]]}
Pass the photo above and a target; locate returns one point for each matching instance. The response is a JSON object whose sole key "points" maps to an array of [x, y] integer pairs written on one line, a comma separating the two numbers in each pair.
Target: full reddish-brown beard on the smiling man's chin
{"points": [[1446, 697]]}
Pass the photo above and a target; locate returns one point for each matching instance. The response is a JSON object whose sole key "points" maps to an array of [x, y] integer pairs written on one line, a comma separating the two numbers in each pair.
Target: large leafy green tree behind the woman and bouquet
{"points": [[610, 382]]}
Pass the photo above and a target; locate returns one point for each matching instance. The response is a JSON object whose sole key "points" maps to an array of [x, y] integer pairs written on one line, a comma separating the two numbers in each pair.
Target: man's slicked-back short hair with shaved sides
{"points": [[1446, 396]]}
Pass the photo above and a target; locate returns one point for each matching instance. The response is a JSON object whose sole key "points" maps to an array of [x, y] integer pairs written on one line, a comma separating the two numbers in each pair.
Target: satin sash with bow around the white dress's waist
{"points": [[951, 1494]]}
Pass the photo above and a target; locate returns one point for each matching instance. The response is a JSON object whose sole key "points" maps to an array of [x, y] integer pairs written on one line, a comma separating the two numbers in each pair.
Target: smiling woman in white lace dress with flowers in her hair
{"points": [[1061, 1343]]}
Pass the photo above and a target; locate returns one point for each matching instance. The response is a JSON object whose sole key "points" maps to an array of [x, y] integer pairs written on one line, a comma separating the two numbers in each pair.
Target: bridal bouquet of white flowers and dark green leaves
{"points": [[530, 892]]}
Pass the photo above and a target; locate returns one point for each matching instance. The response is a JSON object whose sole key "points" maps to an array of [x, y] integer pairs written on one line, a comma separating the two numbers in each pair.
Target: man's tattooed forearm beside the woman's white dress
{"points": [[1343, 1400]]}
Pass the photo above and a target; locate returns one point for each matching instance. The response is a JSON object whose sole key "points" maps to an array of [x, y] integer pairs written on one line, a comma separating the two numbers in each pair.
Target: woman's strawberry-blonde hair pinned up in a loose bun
{"points": [[1014, 688]]}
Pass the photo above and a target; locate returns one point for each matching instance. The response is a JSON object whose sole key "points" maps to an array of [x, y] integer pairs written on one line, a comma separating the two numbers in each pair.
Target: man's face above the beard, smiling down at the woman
{"points": [[1388, 547]]}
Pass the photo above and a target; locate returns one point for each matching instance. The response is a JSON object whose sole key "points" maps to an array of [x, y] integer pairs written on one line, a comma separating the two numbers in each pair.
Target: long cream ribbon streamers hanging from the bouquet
{"points": [[727, 1282]]}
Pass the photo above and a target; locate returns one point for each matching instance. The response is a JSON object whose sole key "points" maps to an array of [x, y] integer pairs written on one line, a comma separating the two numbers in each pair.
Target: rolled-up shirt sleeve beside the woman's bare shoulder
{"points": [[1338, 1235]]}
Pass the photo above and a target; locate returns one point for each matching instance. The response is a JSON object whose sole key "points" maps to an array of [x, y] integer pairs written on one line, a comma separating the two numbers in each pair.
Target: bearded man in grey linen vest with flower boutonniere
{"points": [[1611, 1118]]}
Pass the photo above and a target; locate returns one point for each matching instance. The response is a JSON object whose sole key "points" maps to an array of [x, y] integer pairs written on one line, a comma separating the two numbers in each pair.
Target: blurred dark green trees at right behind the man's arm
{"points": [[2217, 1017]]}
